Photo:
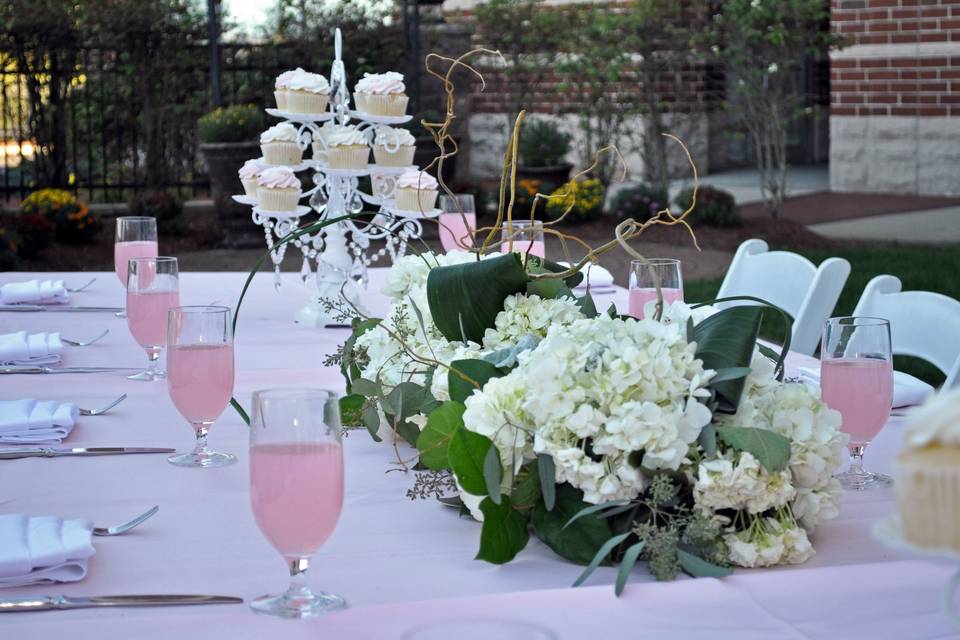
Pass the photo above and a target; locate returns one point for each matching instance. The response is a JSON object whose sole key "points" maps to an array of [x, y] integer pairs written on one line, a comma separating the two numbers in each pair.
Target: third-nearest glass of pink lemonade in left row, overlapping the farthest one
{"points": [[152, 289]]}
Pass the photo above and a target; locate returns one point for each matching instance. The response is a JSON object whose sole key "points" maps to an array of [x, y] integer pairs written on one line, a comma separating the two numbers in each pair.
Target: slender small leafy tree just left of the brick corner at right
{"points": [[763, 46]]}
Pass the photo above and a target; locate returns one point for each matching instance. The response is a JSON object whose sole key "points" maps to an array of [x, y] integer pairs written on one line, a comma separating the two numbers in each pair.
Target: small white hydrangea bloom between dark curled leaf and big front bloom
{"points": [[525, 315]]}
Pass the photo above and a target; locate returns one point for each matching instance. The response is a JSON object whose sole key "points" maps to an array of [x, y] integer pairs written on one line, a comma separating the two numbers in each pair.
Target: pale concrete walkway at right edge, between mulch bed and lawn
{"points": [[935, 226]]}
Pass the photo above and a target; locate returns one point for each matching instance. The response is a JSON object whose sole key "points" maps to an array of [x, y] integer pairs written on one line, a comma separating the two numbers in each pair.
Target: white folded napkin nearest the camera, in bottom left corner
{"points": [[44, 549]]}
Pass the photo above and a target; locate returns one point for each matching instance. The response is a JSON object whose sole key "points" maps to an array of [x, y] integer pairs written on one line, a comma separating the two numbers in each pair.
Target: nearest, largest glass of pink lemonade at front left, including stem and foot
{"points": [[296, 488]]}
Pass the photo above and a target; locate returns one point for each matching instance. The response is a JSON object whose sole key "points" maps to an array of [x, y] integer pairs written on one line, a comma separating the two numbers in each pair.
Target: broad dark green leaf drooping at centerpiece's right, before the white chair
{"points": [[726, 339]]}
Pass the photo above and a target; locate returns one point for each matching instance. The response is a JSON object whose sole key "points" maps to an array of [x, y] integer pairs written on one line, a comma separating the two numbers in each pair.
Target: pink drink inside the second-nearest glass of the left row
{"points": [[200, 380]]}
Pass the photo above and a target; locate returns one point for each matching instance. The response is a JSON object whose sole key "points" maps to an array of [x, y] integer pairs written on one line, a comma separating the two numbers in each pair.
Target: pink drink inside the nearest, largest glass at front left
{"points": [[296, 490]]}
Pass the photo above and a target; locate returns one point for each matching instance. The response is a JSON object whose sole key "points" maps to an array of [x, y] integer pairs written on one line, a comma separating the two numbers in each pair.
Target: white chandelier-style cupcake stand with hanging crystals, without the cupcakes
{"points": [[340, 251]]}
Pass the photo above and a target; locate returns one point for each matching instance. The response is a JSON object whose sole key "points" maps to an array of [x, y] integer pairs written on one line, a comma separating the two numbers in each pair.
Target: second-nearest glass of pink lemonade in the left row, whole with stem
{"points": [[200, 375]]}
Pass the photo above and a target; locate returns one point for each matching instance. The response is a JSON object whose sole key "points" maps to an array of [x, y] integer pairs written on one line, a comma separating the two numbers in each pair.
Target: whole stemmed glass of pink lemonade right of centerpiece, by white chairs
{"points": [[856, 379]]}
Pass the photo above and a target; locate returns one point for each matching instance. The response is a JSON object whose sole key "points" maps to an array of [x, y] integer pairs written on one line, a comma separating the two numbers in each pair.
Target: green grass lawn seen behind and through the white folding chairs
{"points": [[923, 268]]}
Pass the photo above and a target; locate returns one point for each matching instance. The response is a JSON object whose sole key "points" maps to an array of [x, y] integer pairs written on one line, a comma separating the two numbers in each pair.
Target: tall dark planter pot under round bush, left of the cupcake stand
{"points": [[223, 160]]}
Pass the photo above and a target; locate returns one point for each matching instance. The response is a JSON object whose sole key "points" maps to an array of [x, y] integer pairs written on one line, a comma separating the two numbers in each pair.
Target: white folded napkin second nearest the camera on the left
{"points": [[34, 422]]}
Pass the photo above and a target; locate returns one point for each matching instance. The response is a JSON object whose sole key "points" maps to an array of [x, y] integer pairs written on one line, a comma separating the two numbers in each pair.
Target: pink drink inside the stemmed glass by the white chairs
{"points": [[861, 389]]}
